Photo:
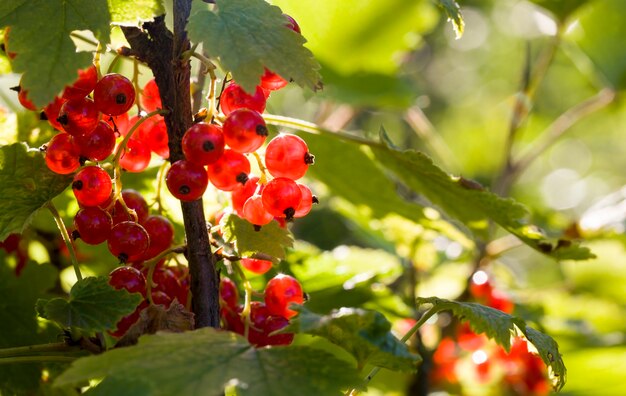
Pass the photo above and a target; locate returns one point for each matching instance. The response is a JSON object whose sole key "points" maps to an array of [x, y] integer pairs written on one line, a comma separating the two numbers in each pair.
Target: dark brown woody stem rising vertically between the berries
{"points": [[162, 51]]}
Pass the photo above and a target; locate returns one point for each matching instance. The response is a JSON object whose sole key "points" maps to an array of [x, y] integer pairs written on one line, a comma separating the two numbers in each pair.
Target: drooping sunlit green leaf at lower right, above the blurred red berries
{"points": [[501, 327]]}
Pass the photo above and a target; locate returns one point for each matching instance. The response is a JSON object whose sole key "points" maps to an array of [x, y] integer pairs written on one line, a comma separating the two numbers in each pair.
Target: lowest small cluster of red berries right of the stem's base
{"points": [[265, 317]]}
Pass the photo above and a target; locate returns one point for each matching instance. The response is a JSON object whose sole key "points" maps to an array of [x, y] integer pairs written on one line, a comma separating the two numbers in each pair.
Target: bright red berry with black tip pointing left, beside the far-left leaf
{"points": [[92, 186]]}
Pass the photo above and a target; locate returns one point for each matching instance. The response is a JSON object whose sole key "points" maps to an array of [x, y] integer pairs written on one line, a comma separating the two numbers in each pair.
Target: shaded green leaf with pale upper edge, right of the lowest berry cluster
{"points": [[364, 334]]}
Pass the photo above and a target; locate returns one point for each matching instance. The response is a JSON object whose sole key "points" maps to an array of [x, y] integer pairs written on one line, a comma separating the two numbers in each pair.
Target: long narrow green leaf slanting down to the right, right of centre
{"points": [[470, 202]]}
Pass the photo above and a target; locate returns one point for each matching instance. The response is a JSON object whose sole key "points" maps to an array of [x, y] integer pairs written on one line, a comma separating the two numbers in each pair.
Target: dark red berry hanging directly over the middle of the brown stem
{"points": [[186, 181]]}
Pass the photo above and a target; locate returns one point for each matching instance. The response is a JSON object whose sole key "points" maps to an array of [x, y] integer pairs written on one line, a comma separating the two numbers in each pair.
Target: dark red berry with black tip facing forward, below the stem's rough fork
{"points": [[114, 94]]}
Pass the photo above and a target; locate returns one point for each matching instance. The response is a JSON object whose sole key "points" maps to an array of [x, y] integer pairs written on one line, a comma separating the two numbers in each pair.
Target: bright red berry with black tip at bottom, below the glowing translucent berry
{"points": [[282, 197]]}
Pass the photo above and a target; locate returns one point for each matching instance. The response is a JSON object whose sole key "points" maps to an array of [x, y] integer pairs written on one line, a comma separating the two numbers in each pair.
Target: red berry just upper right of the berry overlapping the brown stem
{"points": [[230, 171]]}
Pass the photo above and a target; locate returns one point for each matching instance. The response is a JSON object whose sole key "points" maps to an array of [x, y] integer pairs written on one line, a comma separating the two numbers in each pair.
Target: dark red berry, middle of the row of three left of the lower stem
{"points": [[128, 239]]}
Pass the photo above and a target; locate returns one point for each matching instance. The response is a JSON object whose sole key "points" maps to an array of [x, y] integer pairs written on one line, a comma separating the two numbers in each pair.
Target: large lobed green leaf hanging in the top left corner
{"points": [[40, 35]]}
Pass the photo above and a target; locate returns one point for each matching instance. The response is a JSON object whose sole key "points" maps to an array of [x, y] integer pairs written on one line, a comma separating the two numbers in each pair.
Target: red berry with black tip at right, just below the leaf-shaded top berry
{"points": [[244, 130]]}
